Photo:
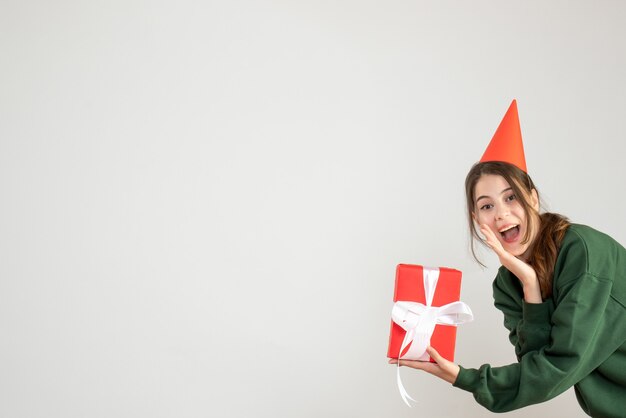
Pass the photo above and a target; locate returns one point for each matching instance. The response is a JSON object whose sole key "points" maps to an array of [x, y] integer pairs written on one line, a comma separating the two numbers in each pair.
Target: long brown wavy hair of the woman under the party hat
{"points": [[551, 226]]}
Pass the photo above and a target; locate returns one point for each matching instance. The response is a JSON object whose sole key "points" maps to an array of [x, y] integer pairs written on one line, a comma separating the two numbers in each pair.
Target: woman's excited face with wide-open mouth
{"points": [[496, 206]]}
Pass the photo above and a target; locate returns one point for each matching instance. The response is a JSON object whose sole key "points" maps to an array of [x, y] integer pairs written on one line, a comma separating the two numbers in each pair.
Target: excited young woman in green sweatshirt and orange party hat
{"points": [[561, 288]]}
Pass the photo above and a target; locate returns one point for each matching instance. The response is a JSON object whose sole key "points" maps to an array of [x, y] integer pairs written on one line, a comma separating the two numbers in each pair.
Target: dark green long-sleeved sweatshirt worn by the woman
{"points": [[577, 337]]}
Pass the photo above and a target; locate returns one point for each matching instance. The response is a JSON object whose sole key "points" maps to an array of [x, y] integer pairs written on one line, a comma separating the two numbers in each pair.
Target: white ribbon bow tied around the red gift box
{"points": [[419, 320]]}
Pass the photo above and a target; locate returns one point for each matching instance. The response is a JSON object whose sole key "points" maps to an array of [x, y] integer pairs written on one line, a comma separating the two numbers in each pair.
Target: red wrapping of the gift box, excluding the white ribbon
{"points": [[410, 287]]}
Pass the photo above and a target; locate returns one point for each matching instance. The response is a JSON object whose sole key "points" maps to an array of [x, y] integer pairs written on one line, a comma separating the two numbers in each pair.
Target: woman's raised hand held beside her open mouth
{"points": [[523, 271]]}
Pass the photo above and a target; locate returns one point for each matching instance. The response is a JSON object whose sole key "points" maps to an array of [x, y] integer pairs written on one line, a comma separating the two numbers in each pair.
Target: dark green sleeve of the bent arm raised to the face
{"points": [[528, 323]]}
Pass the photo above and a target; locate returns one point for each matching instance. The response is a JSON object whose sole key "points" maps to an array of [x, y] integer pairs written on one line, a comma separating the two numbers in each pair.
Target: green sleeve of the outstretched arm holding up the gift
{"points": [[587, 327]]}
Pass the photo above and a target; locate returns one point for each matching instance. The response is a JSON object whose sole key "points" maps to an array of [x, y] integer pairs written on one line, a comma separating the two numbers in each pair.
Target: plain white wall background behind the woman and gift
{"points": [[203, 203]]}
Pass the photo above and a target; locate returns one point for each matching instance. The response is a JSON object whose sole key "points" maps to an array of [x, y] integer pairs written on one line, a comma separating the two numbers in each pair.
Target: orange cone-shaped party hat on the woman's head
{"points": [[506, 144]]}
